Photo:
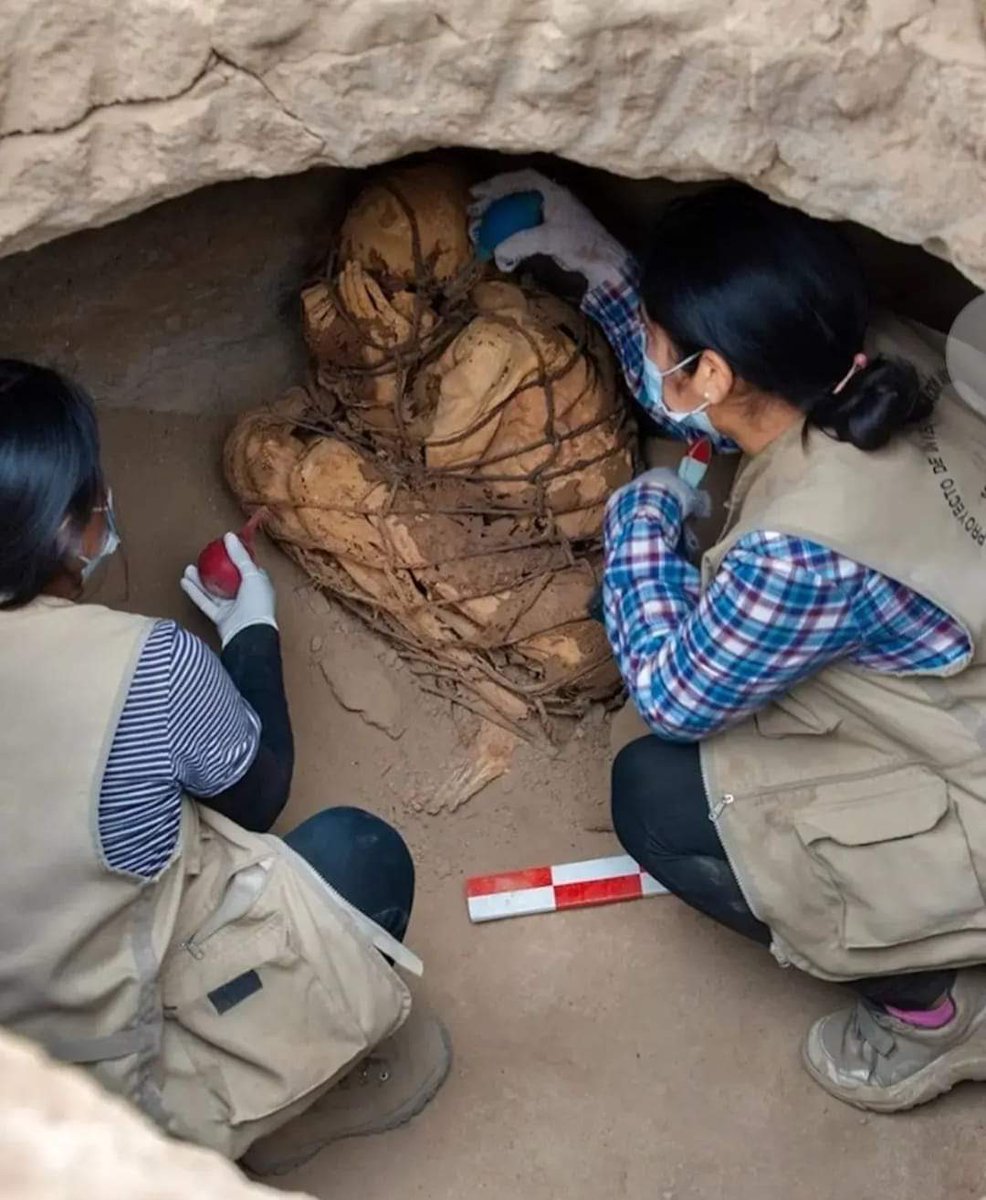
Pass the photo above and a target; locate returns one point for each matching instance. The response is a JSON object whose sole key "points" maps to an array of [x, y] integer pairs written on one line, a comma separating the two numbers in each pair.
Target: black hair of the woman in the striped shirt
{"points": [[51, 481]]}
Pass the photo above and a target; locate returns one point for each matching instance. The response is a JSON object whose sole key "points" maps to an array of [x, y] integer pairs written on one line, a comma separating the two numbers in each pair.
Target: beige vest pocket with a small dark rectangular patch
{"points": [[257, 1021]]}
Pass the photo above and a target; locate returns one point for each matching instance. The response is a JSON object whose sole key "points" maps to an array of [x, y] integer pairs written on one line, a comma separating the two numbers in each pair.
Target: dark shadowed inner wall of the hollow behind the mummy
{"points": [[194, 304]]}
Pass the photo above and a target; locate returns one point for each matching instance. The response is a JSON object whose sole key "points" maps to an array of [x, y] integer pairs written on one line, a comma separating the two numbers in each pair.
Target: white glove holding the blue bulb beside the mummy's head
{"points": [[569, 233]]}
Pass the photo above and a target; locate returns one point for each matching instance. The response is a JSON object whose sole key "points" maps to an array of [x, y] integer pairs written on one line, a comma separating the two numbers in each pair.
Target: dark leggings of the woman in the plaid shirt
{"points": [[662, 817]]}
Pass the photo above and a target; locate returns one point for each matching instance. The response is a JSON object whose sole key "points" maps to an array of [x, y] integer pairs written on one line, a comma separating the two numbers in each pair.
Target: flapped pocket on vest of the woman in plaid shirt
{"points": [[895, 853]]}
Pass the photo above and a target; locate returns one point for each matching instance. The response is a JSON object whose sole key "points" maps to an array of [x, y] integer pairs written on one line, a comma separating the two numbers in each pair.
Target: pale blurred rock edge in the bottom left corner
{"points": [[62, 1136]]}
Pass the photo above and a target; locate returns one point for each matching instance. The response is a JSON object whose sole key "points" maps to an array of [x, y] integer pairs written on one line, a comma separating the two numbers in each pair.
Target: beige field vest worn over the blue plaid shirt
{"points": [[853, 811]]}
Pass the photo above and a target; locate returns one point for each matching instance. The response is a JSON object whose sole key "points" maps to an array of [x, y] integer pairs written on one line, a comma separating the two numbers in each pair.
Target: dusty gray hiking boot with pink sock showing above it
{"points": [[869, 1059]]}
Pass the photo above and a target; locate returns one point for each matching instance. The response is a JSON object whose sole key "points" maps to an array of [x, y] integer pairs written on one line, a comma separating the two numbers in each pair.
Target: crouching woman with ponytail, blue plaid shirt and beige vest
{"points": [[816, 686]]}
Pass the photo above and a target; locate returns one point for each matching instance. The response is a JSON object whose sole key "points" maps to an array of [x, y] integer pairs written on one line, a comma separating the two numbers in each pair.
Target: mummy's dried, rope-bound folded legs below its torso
{"points": [[449, 581]]}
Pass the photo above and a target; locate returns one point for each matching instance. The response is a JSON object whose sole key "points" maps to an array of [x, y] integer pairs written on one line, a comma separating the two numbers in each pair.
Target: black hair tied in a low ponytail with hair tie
{"points": [[783, 298]]}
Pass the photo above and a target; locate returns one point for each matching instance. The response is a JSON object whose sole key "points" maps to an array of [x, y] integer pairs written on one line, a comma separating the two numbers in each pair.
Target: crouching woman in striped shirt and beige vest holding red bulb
{"points": [[152, 928]]}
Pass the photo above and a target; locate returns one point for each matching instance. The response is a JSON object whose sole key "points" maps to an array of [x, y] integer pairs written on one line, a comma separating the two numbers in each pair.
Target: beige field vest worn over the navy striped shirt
{"points": [[223, 998]]}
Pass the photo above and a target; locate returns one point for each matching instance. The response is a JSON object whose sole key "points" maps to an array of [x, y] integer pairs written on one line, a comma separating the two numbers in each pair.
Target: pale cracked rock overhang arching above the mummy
{"points": [[870, 111]]}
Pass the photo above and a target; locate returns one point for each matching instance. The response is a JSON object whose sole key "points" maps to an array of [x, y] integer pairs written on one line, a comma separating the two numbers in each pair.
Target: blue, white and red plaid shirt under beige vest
{"points": [[779, 610]]}
